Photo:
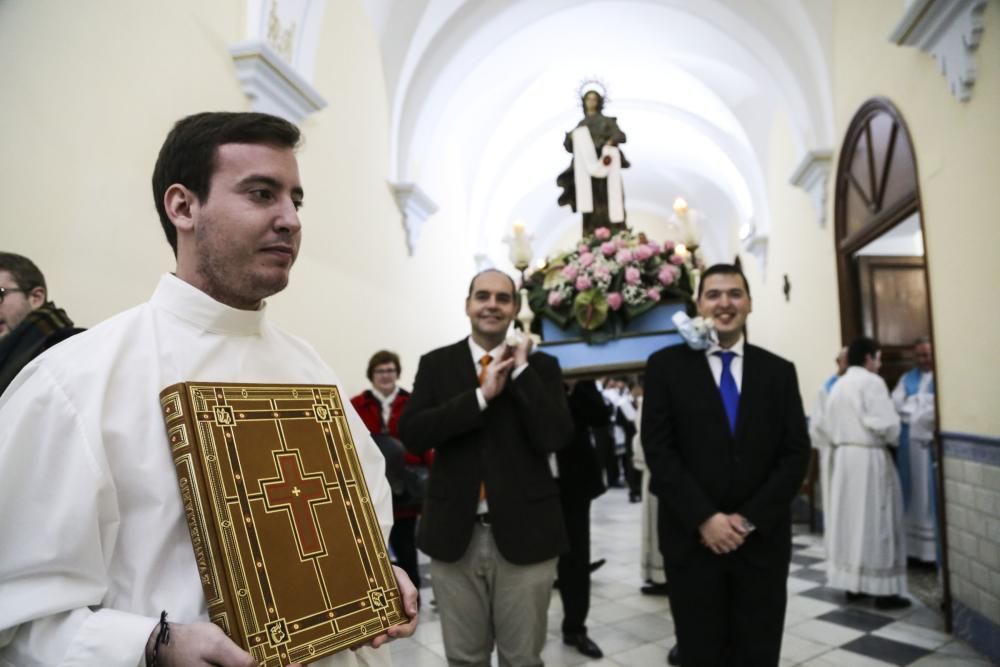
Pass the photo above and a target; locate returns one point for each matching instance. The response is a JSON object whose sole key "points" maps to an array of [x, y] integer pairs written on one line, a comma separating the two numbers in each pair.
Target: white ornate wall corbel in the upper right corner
{"points": [[949, 30]]}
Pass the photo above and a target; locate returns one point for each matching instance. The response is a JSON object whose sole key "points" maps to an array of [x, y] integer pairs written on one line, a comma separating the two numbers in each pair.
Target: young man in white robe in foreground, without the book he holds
{"points": [[95, 541]]}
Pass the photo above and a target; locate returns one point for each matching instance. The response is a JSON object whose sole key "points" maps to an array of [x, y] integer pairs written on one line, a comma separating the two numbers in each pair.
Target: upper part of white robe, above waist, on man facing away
{"points": [[859, 411]]}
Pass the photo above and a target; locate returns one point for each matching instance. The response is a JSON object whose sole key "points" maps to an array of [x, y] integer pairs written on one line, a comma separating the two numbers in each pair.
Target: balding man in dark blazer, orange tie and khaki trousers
{"points": [[492, 522]]}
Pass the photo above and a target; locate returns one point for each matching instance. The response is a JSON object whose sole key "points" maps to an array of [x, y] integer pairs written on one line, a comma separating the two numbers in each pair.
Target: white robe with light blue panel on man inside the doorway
{"points": [[919, 516]]}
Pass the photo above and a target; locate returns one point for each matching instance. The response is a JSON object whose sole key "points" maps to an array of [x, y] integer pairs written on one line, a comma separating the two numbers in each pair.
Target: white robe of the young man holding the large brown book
{"points": [[95, 543]]}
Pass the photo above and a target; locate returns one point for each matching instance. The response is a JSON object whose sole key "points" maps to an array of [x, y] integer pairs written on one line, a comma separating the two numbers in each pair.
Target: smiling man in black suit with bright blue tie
{"points": [[726, 444]]}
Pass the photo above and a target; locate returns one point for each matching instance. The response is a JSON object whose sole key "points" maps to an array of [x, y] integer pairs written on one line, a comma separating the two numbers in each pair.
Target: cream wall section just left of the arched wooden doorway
{"points": [[806, 328]]}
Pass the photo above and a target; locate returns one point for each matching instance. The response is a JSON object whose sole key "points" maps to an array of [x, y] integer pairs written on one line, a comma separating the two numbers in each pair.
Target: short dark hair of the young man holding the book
{"points": [[188, 155]]}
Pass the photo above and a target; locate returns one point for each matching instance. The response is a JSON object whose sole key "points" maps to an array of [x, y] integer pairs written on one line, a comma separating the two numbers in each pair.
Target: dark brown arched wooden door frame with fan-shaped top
{"points": [[883, 183]]}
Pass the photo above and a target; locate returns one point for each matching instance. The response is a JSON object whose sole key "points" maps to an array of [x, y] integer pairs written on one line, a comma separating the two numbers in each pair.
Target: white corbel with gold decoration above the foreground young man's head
{"points": [[275, 64]]}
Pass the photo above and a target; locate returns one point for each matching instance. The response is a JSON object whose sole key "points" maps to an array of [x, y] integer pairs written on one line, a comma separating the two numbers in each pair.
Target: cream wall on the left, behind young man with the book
{"points": [[91, 89]]}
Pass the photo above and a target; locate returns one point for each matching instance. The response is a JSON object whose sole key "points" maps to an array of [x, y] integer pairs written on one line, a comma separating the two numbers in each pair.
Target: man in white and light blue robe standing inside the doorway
{"points": [[914, 401]]}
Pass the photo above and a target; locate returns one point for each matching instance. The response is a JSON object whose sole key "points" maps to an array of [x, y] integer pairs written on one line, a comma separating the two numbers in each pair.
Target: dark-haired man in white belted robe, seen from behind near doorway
{"points": [[867, 550]]}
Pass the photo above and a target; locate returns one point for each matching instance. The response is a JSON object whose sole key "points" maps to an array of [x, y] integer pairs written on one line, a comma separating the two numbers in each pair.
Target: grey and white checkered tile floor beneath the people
{"points": [[821, 630]]}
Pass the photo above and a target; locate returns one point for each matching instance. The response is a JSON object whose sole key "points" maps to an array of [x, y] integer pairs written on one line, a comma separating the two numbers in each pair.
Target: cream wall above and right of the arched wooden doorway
{"points": [[957, 144]]}
